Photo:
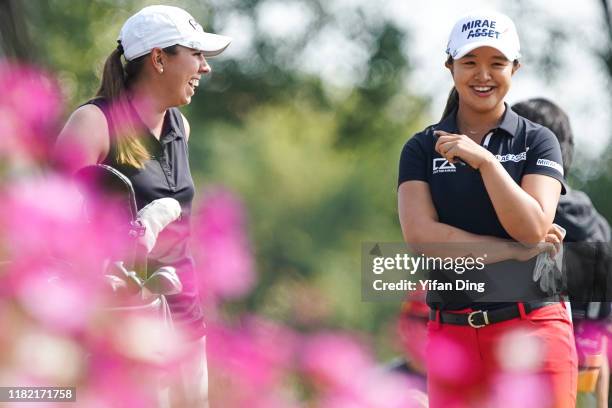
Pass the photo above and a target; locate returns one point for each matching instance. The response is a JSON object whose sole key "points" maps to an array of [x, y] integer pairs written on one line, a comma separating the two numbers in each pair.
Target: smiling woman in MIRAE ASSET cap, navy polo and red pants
{"points": [[484, 183]]}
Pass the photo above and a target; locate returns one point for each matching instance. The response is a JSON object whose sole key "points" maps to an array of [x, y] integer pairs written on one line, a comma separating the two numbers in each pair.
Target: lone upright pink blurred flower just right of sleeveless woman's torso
{"points": [[222, 247]]}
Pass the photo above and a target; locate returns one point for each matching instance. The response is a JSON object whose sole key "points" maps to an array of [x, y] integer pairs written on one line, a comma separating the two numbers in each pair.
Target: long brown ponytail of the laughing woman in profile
{"points": [[116, 80]]}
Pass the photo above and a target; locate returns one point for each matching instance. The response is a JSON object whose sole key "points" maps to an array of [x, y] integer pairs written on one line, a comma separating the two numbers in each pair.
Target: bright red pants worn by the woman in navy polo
{"points": [[529, 361]]}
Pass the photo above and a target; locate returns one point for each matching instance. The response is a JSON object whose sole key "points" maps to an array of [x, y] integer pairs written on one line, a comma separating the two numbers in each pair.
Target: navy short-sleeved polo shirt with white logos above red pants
{"points": [[461, 200]]}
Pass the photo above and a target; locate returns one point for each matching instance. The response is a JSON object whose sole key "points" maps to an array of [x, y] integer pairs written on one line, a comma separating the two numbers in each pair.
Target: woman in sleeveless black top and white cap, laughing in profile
{"points": [[134, 125]]}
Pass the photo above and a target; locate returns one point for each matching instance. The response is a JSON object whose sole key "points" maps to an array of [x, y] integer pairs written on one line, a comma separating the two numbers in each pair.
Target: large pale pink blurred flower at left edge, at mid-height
{"points": [[43, 219]]}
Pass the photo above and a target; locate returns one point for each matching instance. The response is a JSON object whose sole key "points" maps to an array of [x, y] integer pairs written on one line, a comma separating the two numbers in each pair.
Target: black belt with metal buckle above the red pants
{"points": [[482, 318]]}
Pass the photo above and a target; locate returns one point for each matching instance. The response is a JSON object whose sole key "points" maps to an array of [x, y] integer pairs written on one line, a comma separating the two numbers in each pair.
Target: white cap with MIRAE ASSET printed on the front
{"points": [[484, 29]]}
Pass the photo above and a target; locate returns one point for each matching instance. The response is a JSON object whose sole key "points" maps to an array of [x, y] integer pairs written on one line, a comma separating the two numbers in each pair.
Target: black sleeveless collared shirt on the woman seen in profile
{"points": [[166, 174]]}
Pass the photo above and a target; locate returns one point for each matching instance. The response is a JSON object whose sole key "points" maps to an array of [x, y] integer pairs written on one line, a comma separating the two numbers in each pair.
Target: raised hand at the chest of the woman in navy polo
{"points": [[453, 147]]}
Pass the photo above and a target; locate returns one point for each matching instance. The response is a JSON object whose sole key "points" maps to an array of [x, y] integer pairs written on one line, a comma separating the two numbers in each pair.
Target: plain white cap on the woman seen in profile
{"points": [[164, 26]]}
